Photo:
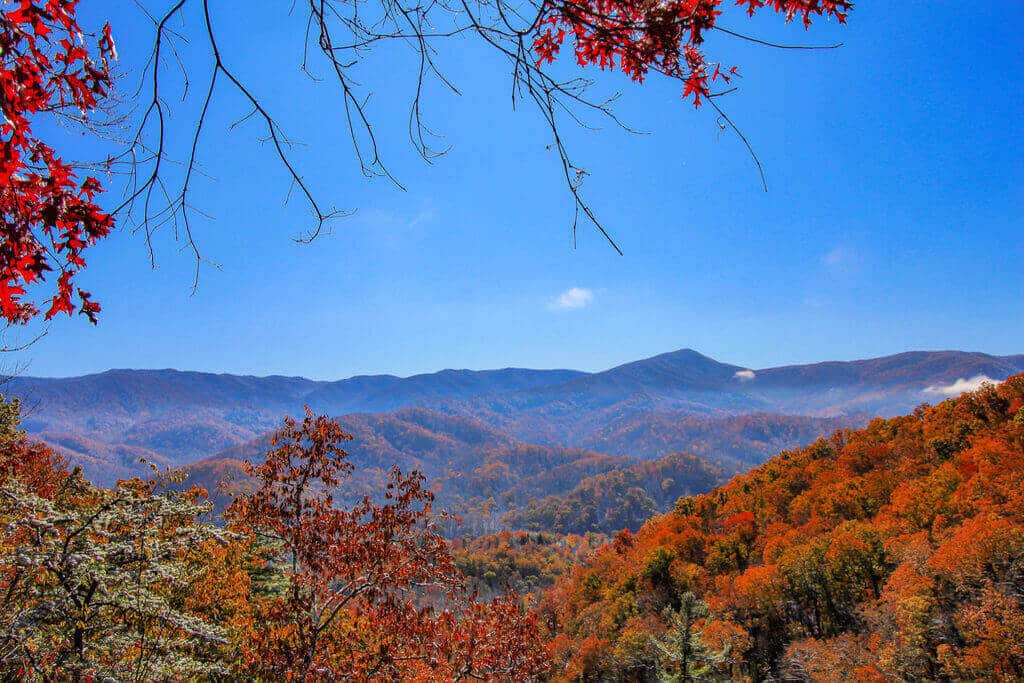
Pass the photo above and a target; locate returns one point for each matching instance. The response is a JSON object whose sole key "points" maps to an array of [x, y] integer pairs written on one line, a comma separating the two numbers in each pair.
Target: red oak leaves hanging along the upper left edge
{"points": [[48, 215]]}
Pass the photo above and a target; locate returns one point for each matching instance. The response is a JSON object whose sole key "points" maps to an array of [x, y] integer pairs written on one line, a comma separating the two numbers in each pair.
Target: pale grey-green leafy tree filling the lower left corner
{"points": [[93, 581]]}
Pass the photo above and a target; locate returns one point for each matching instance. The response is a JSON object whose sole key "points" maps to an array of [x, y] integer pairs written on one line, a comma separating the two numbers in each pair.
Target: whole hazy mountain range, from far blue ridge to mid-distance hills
{"points": [[679, 402]]}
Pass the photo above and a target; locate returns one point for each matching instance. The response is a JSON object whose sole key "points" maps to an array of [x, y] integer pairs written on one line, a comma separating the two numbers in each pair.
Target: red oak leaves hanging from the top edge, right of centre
{"points": [[666, 36]]}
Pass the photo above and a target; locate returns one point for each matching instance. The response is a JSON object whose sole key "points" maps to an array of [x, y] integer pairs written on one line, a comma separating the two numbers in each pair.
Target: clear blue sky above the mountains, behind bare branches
{"points": [[892, 222]]}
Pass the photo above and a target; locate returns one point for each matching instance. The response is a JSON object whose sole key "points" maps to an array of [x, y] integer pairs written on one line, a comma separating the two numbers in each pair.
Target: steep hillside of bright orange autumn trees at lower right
{"points": [[894, 552]]}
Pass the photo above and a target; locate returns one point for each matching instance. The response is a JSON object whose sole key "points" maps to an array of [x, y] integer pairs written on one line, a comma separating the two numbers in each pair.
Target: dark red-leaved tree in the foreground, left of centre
{"points": [[372, 591]]}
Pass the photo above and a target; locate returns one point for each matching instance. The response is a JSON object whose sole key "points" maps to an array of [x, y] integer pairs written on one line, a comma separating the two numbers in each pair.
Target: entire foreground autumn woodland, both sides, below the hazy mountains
{"points": [[891, 552]]}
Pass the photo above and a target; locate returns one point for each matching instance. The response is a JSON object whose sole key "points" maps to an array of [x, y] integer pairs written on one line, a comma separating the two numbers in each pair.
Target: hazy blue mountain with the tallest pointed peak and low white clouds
{"points": [[689, 382]]}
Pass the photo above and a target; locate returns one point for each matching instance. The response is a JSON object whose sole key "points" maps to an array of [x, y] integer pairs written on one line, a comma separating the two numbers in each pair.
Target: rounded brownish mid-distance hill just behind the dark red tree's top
{"points": [[476, 472]]}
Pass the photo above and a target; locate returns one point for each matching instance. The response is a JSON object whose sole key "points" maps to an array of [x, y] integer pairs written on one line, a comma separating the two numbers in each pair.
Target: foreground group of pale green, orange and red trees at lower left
{"points": [[130, 583]]}
